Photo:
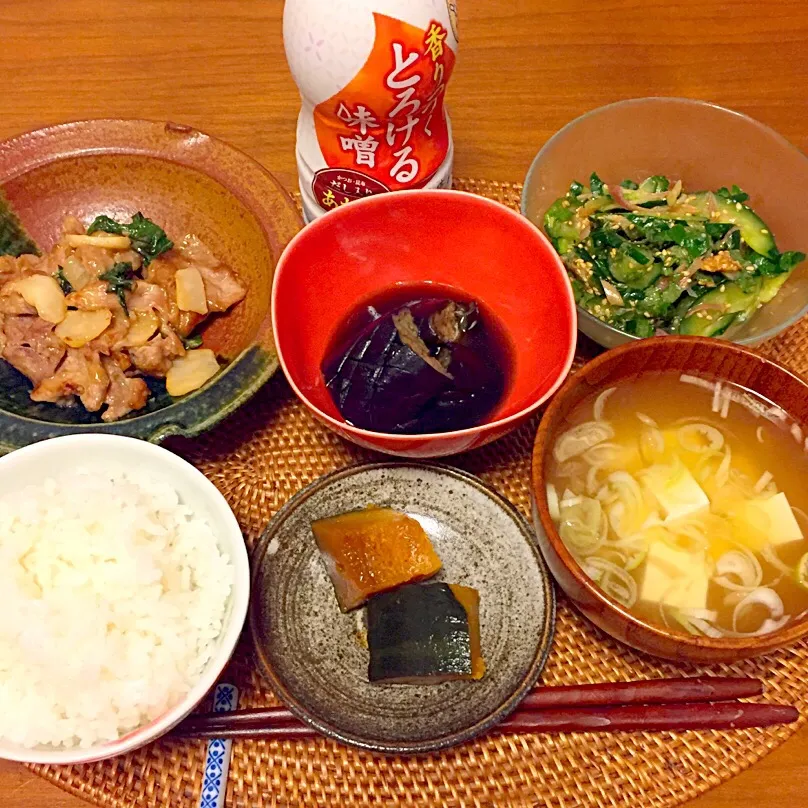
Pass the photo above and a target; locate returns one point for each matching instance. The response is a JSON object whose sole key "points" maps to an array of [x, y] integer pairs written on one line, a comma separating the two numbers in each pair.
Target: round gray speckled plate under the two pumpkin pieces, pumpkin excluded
{"points": [[309, 650]]}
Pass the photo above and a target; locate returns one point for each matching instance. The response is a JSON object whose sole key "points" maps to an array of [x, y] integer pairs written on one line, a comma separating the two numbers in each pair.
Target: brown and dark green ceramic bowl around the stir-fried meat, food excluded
{"points": [[187, 182]]}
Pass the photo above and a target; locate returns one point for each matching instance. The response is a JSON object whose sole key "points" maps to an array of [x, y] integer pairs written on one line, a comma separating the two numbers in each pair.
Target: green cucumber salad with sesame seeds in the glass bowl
{"points": [[652, 258]]}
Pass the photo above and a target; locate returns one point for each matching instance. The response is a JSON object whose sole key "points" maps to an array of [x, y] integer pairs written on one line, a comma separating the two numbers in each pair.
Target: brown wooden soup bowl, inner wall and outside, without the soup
{"points": [[694, 355]]}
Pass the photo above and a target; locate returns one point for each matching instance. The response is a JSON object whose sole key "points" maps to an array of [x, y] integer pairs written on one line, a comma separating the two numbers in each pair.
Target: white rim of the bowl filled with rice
{"points": [[173, 465]]}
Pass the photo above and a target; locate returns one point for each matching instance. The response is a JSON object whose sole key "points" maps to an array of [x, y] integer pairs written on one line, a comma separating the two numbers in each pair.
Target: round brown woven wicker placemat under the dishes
{"points": [[270, 449]]}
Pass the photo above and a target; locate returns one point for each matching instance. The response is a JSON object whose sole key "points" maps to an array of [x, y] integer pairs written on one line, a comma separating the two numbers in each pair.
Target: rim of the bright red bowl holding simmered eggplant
{"points": [[394, 440]]}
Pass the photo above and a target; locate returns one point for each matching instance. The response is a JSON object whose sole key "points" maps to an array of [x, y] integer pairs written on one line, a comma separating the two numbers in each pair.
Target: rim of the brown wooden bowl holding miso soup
{"points": [[775, 639]]}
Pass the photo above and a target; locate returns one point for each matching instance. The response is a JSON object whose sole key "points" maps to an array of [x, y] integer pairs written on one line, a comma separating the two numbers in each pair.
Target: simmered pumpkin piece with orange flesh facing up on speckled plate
{"points": [[371, 551]]}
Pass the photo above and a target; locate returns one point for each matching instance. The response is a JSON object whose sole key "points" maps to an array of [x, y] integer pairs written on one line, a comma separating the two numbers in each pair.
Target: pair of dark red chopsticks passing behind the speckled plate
{"points": [[657, 704]]}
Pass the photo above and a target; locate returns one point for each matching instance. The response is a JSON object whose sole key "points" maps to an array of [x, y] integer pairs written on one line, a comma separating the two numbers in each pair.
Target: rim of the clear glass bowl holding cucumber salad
{"points": [[639, 101]]}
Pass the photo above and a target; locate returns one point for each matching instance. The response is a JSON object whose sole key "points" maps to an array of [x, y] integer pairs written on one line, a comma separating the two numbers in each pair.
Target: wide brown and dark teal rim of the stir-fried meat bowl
{"points": [[240, 176]]}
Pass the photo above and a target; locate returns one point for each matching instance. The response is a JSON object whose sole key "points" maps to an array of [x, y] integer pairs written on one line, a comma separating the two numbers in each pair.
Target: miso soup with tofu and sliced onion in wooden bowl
{"points": [[684, 500]]}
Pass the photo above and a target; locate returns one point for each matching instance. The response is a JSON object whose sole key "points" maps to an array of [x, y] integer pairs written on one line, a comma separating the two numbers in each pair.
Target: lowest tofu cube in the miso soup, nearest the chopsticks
{"points": [[675, 577]]}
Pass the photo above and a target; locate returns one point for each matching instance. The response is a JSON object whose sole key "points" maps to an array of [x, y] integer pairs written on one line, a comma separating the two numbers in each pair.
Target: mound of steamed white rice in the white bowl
{"points": [[114, 593]]}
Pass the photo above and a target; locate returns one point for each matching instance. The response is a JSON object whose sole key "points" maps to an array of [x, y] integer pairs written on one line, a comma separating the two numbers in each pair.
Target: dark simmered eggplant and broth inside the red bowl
{"points": [[418, 359]]}
